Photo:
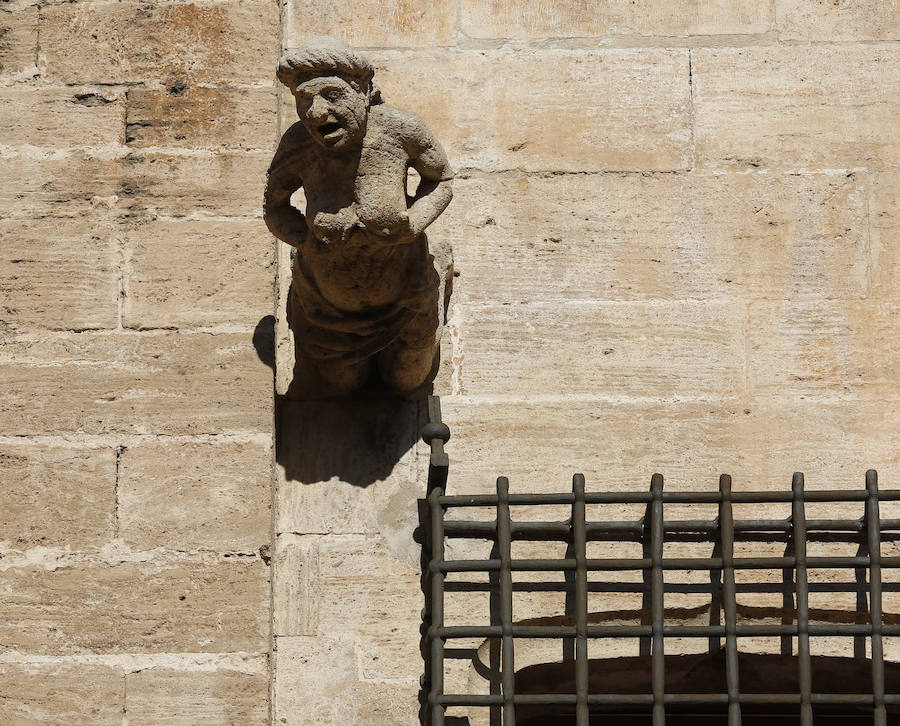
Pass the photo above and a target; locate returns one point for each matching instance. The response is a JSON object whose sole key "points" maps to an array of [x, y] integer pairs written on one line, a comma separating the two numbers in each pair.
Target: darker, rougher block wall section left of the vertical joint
{"points": [[135, 414]]}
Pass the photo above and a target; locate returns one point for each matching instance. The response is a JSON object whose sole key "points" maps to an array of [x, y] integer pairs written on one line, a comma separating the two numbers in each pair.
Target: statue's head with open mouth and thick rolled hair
{"points": [[332, 85]]}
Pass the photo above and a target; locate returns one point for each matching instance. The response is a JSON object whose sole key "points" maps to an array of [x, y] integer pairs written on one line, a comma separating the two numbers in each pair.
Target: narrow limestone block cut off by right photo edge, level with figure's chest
{"points": [[885, 230]]}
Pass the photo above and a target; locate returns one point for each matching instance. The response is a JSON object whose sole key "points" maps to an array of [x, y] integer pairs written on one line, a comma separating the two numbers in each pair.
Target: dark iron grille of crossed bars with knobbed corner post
{"points": [[651, 531]]}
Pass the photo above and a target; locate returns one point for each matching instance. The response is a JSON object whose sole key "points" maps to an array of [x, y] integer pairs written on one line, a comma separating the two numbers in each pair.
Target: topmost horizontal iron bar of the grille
{"points": [[701, 497]]}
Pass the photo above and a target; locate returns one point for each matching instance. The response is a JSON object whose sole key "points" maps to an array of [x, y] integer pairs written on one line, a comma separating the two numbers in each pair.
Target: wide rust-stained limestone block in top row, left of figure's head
{"points": [[234, 41]]}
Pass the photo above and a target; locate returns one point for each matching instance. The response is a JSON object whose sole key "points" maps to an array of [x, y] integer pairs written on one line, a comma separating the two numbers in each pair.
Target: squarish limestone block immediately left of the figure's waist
{"points": [[223, 274]]}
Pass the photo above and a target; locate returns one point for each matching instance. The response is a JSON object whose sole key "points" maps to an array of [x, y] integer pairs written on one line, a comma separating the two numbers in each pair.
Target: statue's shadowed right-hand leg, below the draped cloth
{"points": [[406, 363]]}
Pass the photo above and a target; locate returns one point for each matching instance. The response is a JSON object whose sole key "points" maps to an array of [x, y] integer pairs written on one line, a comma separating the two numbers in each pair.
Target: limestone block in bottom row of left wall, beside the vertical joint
{"points": [[182, 698]]}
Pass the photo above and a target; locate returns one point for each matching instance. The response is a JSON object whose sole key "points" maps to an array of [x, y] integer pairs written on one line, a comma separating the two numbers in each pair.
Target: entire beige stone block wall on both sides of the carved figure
{"points": [[676, 238]]}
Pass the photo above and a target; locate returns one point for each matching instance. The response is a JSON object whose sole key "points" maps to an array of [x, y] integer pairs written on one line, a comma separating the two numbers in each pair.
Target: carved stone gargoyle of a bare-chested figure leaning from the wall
{"points": [[364, 292]]}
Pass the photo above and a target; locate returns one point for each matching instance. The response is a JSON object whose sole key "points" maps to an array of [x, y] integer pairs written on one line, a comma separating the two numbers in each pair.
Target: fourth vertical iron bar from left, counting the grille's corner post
{"points": [[657, 601]]}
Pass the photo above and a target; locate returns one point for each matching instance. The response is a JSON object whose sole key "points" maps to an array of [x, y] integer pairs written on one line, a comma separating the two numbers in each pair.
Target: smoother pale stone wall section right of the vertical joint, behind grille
{"points": [[674, 229]]}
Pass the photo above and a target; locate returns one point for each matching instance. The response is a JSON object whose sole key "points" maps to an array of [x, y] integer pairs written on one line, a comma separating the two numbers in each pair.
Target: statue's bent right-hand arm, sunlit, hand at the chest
{"points": [[434, 192]]}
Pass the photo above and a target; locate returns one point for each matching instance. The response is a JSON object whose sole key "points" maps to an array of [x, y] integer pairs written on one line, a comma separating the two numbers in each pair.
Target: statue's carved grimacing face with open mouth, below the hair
{"points": [[333, 111]]}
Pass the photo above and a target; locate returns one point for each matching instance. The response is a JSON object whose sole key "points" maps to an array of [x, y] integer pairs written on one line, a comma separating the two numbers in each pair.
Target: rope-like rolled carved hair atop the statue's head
{"points": [[326, 56]]}
